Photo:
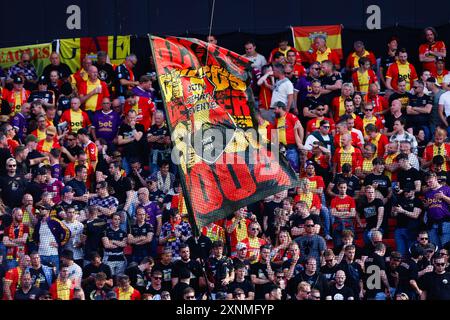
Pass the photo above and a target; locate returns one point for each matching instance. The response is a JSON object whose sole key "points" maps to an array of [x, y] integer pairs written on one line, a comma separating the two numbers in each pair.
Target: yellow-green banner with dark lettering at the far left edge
{"points": [[40, 55]]}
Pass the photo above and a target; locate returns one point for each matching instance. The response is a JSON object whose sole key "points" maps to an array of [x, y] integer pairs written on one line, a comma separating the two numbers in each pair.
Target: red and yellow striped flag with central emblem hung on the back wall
{"points": [[304, 37]]}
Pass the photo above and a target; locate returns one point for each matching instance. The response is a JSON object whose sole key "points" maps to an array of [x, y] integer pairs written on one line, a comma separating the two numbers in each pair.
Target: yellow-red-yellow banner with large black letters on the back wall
{"points": [[75, 49]]}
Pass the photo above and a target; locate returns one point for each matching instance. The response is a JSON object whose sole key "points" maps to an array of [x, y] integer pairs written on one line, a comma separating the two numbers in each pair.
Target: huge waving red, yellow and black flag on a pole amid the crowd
{"points": [[209, 106]]}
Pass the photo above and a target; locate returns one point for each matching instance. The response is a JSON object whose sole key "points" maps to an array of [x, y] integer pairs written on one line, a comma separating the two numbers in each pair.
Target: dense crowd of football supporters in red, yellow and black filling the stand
{"points": [[91, 207]]}
